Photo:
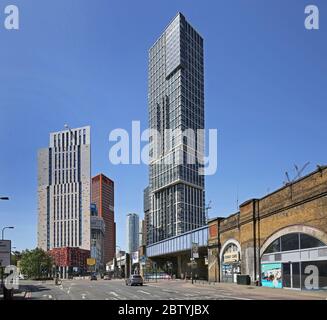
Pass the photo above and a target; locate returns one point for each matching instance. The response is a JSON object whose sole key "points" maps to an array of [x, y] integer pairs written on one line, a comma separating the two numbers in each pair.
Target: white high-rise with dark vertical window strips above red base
{"points": [[64, 190]]}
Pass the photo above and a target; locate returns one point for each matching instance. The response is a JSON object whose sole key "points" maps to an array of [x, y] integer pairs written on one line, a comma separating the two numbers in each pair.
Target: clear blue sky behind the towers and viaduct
{"points": [[85, 63]]}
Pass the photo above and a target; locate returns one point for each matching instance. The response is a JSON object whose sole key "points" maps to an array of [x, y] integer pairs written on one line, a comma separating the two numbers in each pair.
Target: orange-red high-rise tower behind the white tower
{"points": [[103, 195]]}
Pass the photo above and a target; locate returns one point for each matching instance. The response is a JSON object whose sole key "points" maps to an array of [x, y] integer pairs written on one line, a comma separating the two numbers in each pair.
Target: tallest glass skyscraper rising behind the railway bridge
{"points": [[176, 103]]}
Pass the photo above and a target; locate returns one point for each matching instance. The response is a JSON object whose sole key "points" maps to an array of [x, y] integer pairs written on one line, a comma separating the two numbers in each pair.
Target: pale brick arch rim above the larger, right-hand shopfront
{"points": [[311, 231]]}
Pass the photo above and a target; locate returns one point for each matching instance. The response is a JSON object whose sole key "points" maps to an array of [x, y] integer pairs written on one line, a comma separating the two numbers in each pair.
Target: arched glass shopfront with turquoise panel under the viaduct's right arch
{"points": [[295, 261]]}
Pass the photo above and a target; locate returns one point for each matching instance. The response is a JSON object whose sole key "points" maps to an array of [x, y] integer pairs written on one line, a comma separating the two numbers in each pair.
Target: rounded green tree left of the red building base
{"points": [[36, 264]]}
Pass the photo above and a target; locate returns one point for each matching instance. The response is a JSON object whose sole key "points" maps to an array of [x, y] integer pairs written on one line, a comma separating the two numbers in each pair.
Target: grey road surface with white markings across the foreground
{"points": [[82, 289]]}
